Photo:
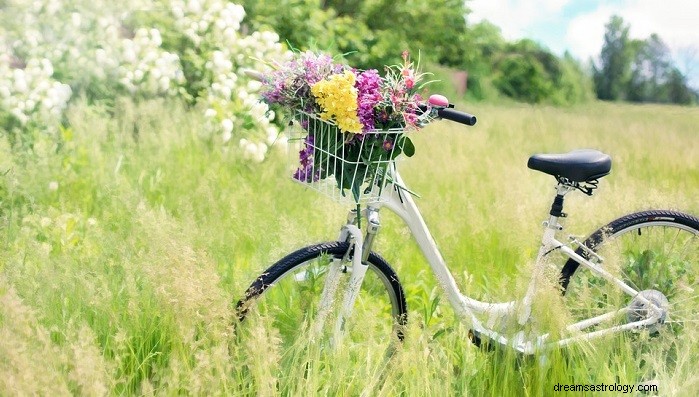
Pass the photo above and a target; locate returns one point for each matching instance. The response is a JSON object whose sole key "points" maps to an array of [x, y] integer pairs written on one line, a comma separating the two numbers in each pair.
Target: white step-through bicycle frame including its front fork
{"points": [[396, 198]]}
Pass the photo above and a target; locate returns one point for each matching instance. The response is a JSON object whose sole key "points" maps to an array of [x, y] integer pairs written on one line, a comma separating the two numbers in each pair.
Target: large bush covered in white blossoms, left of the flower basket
{"points": [[194, 50]]}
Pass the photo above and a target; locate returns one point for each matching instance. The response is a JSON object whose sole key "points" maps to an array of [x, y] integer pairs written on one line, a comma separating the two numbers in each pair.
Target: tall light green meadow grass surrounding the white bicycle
{"points": [[124, 251]]}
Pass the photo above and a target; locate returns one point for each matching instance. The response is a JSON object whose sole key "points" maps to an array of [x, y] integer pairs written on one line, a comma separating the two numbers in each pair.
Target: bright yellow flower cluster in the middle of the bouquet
{"points": [[337, 98]]}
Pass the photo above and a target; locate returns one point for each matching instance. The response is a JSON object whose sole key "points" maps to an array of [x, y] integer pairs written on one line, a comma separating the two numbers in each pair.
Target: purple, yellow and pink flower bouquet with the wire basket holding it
{"points": [[354, 121]]}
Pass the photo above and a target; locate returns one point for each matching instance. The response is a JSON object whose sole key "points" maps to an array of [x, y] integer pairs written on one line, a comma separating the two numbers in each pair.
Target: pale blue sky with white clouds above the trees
{"points": [[578, 25]]}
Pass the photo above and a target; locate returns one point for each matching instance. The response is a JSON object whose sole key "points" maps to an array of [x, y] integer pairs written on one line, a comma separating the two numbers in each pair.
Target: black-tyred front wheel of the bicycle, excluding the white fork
{"points": [[294, 274]]}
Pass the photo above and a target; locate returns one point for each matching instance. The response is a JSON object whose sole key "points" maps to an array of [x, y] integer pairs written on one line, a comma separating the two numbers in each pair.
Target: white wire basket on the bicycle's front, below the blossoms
{"points": [[348, 168]]}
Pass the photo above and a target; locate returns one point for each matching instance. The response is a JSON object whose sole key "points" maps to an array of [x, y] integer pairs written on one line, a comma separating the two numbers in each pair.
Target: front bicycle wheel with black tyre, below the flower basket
{"points": [[286, 299]]}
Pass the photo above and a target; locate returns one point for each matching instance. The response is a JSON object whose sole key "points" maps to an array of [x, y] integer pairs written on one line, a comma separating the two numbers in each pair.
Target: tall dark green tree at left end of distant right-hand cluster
{"points": [[612, 76]]}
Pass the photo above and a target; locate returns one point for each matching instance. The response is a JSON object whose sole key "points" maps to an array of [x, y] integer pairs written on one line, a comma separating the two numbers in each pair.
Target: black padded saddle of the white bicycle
{"points": [[580, 165]]}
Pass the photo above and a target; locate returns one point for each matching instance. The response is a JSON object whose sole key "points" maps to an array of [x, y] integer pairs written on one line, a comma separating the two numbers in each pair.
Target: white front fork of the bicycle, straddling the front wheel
{"points": [[361, 248]]}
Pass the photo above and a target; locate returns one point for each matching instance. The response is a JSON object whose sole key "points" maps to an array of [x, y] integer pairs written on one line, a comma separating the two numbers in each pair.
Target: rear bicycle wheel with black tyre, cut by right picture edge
{"points": [[657, 254]]}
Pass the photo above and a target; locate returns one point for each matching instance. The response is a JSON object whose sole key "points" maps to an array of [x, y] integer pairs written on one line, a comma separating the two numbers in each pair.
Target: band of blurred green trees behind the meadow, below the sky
{"points": [[372, 33]]}
